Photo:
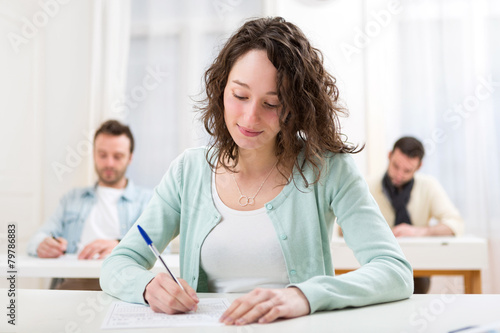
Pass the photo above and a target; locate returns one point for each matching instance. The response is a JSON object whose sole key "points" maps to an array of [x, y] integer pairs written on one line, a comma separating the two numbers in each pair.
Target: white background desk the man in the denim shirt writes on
{"points": [[68, 266]]}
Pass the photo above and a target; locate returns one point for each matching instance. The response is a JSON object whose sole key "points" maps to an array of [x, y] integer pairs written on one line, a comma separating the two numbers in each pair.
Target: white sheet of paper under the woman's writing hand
{"points": [[129, 315]]}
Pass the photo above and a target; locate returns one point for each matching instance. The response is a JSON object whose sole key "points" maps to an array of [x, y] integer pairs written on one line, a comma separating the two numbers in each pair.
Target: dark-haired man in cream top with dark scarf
{"points": [[409, 201]]}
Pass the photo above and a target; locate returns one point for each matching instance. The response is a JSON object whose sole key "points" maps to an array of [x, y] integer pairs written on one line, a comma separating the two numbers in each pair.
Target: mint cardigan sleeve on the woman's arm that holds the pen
{"points": [[125, 273]]}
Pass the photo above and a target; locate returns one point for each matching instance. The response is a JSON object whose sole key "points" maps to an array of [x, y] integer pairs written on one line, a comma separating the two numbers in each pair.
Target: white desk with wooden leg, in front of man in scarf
{"points": [[465, 256]]}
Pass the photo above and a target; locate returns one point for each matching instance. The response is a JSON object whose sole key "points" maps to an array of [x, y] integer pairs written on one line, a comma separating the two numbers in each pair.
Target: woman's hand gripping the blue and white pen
{"points": [[164, 295]]}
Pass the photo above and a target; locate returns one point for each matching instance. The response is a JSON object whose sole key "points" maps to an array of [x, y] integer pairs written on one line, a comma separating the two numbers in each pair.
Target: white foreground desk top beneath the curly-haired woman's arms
{"points": [[83, 311]]}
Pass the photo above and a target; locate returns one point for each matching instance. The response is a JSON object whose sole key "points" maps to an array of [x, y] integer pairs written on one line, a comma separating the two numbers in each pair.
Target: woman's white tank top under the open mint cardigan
{"points": [[242, 252]]}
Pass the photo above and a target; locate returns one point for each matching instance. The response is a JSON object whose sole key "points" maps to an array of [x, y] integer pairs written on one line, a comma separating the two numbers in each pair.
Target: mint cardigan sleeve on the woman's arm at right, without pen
{"points": [[385, 275]]}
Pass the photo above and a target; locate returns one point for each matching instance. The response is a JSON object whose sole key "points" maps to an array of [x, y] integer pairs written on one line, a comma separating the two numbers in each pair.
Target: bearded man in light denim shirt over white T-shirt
{"points": [[91, 221]]}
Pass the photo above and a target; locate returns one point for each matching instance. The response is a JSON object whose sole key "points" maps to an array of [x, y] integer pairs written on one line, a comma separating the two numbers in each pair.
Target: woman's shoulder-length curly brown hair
{"points": [[306, 91]]}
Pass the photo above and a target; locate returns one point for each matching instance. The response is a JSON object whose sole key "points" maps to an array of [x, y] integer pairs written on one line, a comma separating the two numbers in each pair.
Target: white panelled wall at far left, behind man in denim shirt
{"points": [[44, 108]]}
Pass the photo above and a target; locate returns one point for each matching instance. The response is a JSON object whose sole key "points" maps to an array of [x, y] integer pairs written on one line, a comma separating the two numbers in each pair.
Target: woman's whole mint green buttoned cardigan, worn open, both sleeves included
{"points": [[303, 219]]}
